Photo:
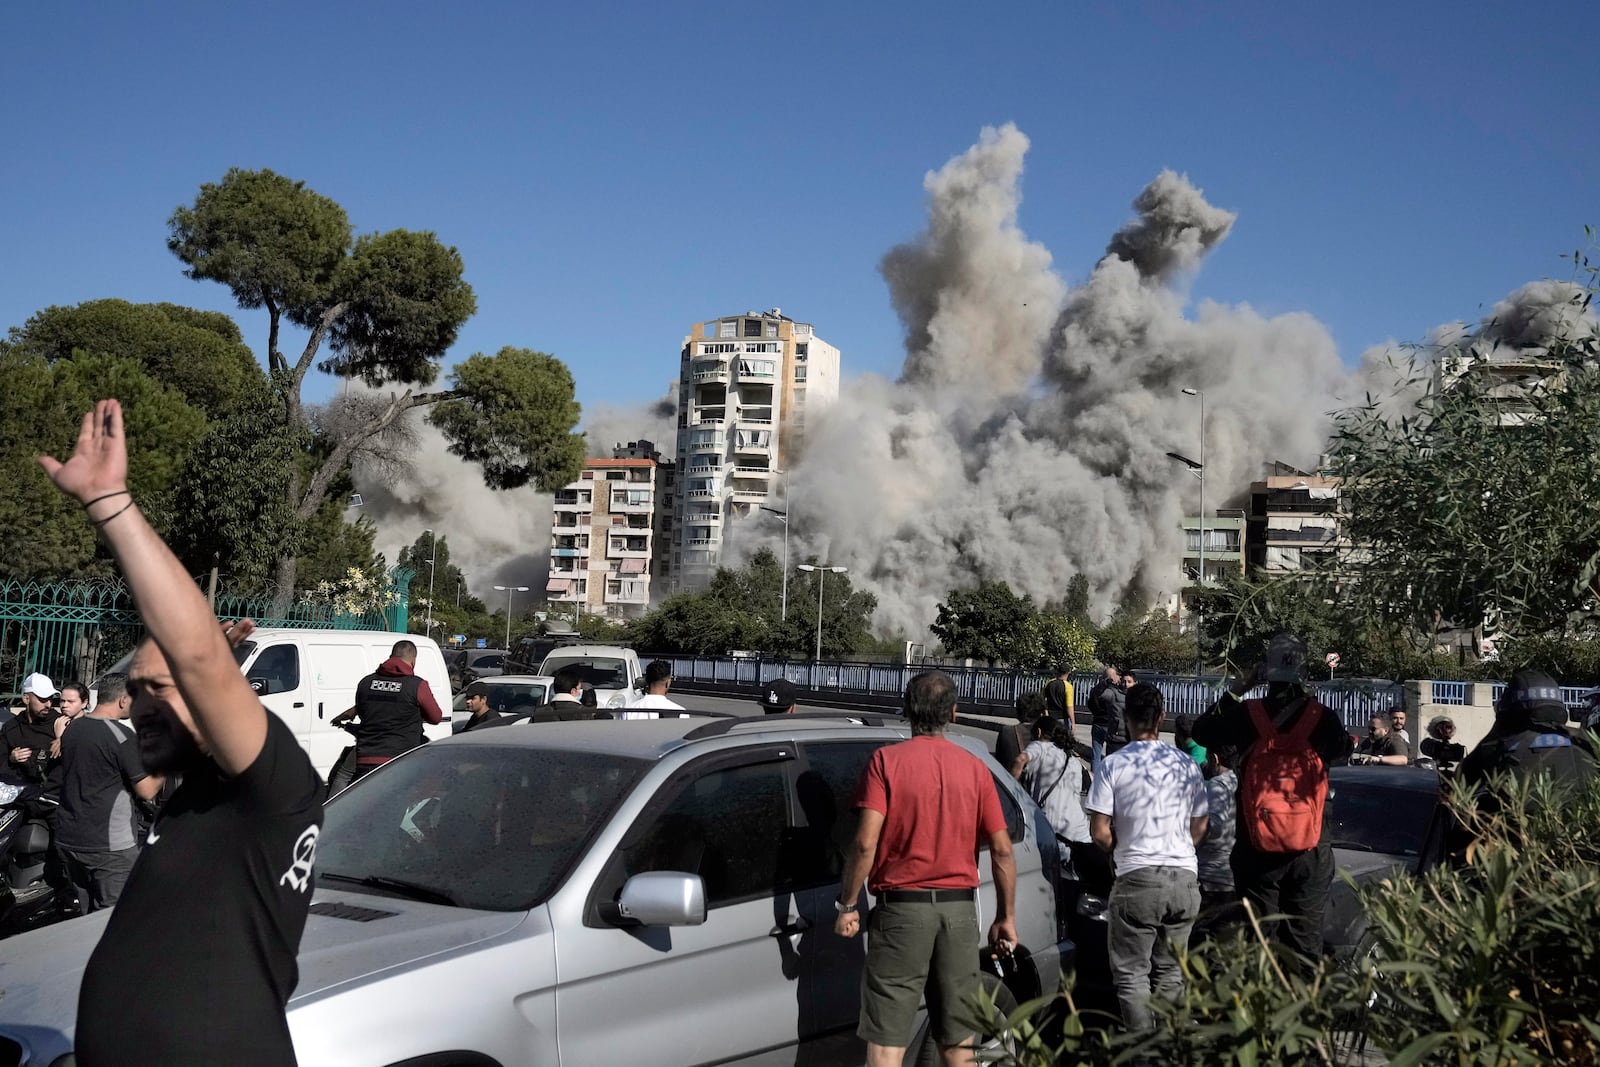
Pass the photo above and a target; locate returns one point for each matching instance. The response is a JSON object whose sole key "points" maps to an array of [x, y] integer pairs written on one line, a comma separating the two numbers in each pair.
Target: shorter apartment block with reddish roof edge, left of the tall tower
{"points": [[604, 535]]}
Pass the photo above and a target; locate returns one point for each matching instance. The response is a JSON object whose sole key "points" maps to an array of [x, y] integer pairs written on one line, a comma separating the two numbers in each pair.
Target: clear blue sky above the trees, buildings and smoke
{"points": [[615, 172]]}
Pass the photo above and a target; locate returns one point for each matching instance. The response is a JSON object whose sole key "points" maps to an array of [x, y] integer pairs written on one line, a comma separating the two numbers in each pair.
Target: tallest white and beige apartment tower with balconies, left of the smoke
{"points": [[746, 388]]}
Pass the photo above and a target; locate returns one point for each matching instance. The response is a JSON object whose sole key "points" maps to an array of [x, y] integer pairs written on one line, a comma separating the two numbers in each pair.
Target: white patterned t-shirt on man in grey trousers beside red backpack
{"points": [[1151, 791]]}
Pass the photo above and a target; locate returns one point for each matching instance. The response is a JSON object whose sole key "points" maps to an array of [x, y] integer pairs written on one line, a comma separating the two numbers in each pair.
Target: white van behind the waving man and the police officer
{"points": [[306, 677]]}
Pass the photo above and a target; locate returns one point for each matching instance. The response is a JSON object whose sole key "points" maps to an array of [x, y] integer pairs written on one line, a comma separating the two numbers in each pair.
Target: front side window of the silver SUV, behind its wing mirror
{"points": [[727, 826]]}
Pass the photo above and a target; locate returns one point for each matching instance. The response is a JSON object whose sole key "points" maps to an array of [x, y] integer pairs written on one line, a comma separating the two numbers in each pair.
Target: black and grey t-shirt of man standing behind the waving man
{"points": [[100, 765]]}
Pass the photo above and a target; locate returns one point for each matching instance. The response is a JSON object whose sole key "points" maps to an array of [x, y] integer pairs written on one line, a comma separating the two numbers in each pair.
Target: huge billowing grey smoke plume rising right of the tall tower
{"points": [[1028, 436]]}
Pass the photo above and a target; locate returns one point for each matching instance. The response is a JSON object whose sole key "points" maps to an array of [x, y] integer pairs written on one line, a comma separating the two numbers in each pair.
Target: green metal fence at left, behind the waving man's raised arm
{"points": [[76, 629]]}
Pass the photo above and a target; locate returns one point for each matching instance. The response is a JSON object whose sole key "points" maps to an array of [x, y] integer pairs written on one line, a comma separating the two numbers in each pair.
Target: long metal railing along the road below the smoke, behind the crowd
{"points": [[998, 689]]}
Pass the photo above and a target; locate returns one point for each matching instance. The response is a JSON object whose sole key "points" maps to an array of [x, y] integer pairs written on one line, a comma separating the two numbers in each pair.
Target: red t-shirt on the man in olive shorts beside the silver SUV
{"points": [[938, 804]]}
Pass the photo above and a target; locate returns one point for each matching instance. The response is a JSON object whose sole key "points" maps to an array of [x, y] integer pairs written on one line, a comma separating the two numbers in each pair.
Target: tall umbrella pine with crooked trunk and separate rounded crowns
{"points": [[388, 308]]}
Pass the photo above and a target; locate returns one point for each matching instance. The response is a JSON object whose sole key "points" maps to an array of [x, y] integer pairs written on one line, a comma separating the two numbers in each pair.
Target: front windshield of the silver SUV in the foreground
{"points": [[492, 828]]}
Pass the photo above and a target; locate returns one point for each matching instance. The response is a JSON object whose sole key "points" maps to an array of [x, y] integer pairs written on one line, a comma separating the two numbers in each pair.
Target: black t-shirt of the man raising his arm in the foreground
{"points": [[198, 961]]}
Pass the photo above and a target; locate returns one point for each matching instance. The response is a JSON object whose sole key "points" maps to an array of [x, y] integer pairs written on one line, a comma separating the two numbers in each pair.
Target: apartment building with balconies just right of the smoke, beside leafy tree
{"points": [[1294, 522]]}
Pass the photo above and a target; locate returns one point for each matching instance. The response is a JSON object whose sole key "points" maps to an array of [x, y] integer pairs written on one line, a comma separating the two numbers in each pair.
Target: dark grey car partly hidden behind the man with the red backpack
{"points": [[1380, 820]]}
